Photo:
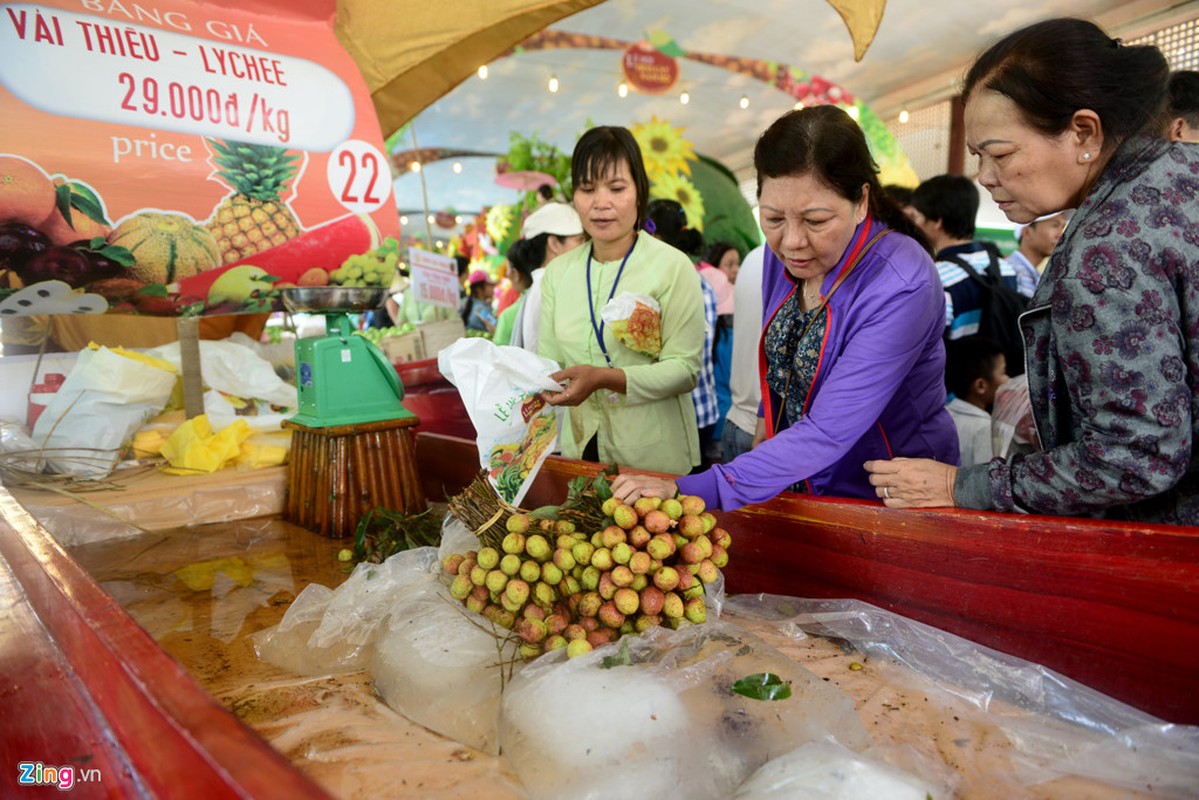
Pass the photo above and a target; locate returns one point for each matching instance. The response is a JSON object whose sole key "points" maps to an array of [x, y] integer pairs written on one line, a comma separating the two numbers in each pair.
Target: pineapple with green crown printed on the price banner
{"points": [[254, 218]]}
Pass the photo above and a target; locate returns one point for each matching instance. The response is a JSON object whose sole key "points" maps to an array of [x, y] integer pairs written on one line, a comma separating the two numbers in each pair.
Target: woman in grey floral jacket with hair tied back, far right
{"points": [[1064, 117]]}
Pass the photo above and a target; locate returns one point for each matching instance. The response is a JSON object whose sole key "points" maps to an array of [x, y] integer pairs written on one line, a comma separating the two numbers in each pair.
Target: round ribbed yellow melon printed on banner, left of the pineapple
{"points": [[167, 246]]}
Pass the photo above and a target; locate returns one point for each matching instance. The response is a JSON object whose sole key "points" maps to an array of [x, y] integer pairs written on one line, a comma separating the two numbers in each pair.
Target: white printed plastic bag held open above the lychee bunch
{"points": [[516, 430]]}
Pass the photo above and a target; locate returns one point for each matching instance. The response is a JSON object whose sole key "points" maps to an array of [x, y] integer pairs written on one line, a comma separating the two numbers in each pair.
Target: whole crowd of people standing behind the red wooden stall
{"points": [[876, 346]]}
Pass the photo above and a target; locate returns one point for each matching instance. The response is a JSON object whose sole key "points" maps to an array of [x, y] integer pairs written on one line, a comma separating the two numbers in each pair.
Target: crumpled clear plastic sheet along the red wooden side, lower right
{"points": [[1055, 727]]}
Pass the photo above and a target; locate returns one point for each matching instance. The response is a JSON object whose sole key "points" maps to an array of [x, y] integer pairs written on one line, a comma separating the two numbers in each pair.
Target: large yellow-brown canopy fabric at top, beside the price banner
{"points": [[413, 53]]}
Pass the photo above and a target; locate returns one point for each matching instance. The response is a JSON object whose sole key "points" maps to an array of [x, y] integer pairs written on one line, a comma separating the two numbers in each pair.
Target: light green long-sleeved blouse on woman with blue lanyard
{"points": [[653, 426]]}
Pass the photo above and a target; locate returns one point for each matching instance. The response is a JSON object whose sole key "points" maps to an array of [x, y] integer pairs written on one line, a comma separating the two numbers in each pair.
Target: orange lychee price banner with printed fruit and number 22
{"points": [[184, 159]]}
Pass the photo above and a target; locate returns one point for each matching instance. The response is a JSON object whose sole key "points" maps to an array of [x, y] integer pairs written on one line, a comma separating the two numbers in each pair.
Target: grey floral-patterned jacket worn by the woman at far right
{"points": [[1112, 347]]}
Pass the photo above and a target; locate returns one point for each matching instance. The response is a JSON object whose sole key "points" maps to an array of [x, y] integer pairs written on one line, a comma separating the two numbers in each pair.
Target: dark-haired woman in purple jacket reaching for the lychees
{"points": [[851, 359]]}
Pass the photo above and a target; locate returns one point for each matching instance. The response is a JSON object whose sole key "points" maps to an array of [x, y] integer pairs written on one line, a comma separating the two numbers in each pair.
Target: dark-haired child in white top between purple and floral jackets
{"points": [[975, 369]]}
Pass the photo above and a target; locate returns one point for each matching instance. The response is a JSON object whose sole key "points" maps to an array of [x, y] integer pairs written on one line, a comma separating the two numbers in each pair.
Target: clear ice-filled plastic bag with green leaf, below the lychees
{"points": [[668, 723]]}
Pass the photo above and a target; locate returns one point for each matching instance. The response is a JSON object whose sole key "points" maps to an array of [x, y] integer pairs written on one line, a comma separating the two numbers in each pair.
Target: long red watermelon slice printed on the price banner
{"points": [[322, 248]]}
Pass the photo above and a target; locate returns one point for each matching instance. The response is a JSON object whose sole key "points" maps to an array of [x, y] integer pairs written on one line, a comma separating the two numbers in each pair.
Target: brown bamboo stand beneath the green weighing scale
{"points": [[339, 474]]}
